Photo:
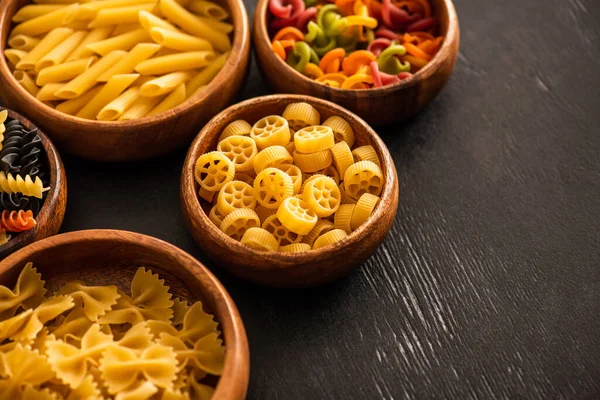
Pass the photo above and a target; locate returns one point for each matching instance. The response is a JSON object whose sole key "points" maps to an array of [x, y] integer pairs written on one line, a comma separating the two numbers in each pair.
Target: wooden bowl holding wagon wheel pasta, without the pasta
{"points": [[306, 269]]}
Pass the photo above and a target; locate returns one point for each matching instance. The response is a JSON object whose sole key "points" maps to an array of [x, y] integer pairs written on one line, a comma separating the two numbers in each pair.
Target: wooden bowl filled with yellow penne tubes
{"points": [[121, 80]]}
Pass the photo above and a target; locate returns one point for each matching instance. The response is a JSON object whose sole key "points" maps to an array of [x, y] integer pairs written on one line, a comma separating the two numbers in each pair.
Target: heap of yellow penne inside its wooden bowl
{"points": [[127, 58]]}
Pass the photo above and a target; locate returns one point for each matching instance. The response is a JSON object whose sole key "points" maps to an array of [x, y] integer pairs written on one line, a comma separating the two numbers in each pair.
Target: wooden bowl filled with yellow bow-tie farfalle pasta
{"points": [[107, 314]]}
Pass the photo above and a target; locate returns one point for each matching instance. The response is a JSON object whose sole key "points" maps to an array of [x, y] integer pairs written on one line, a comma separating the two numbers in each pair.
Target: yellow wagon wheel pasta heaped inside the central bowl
{"points": [[300, 180]]}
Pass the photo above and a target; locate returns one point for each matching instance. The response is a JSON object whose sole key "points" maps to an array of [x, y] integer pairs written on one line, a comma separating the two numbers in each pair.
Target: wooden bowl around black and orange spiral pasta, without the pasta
{"points": [[51, 215]]}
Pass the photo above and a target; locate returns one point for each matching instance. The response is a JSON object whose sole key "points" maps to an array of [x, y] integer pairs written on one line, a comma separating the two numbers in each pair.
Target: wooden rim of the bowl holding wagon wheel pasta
{"points": [[190, 198]]}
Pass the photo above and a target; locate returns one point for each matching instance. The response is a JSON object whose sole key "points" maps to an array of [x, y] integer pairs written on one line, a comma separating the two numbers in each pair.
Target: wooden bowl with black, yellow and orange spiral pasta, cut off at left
{"points": [[33, 185]]}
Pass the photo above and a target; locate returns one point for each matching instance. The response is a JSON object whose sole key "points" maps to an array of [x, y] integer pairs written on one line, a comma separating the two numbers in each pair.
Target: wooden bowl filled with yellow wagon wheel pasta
{"points": [[289, 190]]}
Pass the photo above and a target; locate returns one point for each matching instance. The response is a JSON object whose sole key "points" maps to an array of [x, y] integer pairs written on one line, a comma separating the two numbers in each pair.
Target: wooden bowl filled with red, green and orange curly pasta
{"points": [[383, 60]]}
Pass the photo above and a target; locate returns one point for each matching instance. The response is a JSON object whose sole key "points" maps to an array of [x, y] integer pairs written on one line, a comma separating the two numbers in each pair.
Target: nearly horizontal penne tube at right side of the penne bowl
{"points": [[176, 62]]}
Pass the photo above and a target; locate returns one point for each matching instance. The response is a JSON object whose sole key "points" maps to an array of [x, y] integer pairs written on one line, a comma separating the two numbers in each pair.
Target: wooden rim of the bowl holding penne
{"points": [[240, 45]]}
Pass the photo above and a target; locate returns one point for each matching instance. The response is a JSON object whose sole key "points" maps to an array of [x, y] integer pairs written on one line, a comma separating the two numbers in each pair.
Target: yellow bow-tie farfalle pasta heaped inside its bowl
{"points": [[79, 343]]}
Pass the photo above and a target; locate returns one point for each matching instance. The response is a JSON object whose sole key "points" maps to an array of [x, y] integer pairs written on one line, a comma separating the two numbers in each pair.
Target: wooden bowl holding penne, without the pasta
{"points": [[136, 139]]}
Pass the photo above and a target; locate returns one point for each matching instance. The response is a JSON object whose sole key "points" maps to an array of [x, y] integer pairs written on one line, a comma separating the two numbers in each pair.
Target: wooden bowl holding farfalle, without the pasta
{"points": [[111, 257]]}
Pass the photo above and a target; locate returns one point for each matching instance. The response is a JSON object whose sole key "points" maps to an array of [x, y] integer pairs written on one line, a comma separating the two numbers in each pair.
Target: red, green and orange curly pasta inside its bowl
{"points": [[354, 44]]}
